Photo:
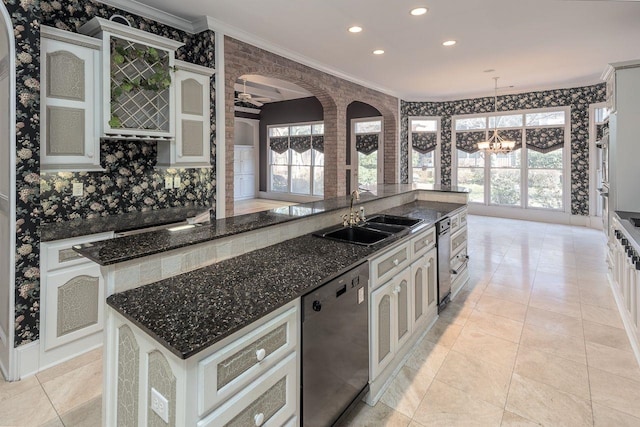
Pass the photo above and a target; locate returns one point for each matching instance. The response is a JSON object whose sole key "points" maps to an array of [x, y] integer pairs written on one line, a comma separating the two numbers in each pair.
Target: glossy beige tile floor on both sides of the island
{"points": [[533, 339]]}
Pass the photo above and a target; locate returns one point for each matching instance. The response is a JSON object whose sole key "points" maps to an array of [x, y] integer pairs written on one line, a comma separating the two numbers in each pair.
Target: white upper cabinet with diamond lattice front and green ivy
{"points": [[138, 87]]}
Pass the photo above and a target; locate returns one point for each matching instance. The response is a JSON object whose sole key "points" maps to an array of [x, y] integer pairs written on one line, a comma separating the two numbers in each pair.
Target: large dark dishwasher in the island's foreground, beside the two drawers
{"points": [[335, 348]]}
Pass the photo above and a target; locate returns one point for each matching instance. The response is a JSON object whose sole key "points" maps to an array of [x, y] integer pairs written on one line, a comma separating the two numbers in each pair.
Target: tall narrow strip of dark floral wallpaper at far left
{"points": [[26, 25]]}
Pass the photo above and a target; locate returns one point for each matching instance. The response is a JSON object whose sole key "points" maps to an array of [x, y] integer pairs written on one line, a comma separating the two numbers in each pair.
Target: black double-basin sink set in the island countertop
{"points": [[374, 230]]}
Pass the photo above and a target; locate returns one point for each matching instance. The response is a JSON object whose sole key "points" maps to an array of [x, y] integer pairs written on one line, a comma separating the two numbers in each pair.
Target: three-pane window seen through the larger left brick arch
{"points": [[296, 159]]}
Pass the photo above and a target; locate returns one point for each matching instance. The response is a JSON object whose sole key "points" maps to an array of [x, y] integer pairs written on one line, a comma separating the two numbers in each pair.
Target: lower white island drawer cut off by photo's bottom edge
{"points": [[269, 401]]}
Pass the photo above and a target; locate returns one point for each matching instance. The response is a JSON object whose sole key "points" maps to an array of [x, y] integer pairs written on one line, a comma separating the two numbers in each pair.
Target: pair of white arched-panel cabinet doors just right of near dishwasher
{"points": [[390, 320]]}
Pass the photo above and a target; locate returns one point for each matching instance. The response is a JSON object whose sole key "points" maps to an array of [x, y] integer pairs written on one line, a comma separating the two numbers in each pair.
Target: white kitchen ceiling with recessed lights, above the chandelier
{"points": [[531, 45]]}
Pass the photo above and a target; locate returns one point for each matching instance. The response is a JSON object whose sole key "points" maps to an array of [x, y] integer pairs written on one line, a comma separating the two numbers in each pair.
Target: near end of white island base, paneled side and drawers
{"points": [[137, 362]]}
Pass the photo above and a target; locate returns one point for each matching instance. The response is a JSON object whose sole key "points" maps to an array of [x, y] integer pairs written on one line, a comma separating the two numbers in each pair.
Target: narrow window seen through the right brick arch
{"points": [[367, 139]]}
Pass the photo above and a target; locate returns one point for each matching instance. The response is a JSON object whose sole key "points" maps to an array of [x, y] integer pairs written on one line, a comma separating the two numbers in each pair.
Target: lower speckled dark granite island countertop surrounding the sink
{"points": [[192, 311]]}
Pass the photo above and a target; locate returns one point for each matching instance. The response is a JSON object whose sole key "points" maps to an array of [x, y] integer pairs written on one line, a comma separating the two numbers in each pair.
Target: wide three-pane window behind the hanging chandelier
{"points": [[531, 176]]}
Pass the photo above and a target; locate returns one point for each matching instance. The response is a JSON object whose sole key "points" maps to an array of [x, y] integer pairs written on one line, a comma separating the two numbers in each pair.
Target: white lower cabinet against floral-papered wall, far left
{"points": [[72, 301]]}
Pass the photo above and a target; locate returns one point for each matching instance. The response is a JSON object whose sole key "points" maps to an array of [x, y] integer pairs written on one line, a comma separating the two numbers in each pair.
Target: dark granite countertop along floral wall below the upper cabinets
{"points": [[118, 223]]}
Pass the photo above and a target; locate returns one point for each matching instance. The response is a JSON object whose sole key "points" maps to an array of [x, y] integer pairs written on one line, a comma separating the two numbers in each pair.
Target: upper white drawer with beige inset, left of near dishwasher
{"points": [[227, 371]]}
